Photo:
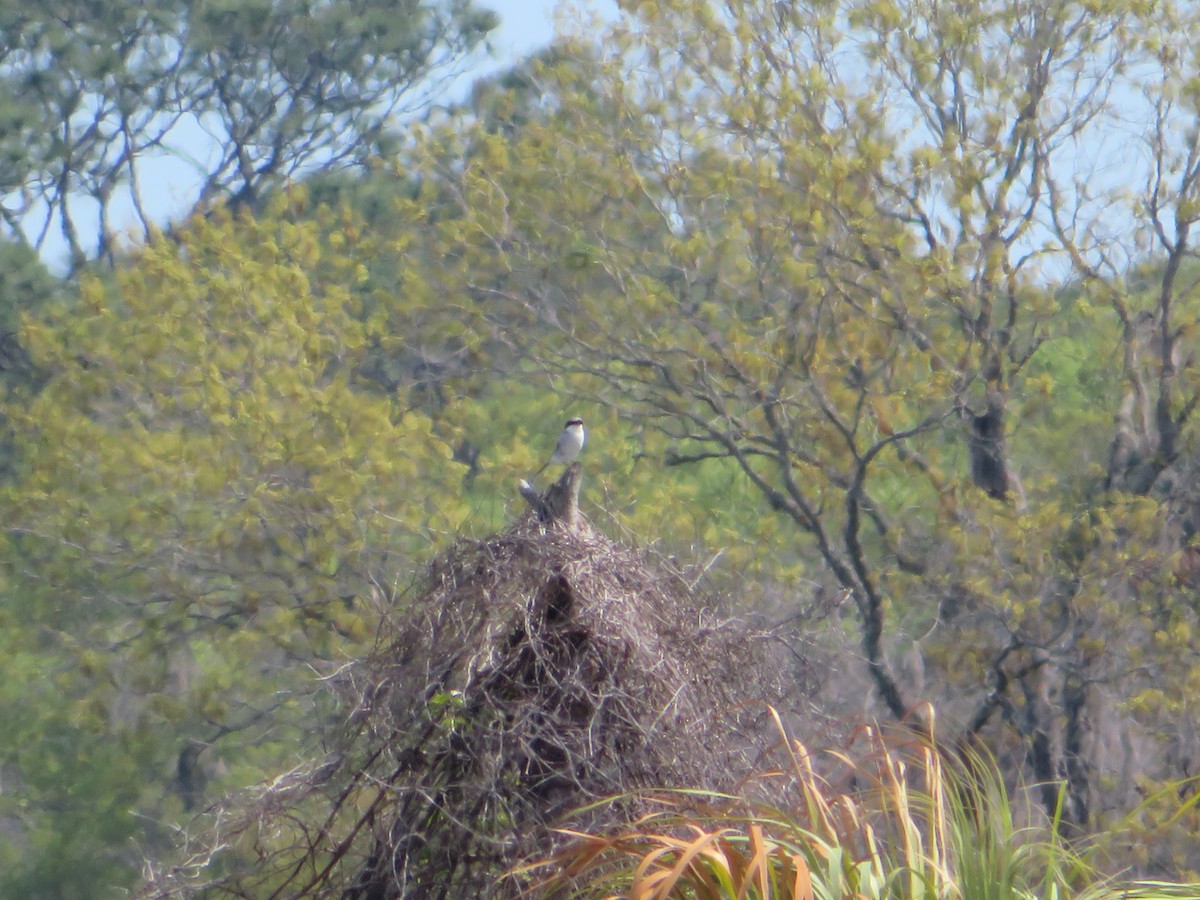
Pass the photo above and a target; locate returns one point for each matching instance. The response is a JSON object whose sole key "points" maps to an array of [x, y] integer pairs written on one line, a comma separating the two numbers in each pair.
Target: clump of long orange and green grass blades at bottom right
{"points": [[910, 823]]}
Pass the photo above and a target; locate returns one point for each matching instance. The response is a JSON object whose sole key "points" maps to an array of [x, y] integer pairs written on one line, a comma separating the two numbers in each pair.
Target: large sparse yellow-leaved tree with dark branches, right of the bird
{"points": [[844, 287]]}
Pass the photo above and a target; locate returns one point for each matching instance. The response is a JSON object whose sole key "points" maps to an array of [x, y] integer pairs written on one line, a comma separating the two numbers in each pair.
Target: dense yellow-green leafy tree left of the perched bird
{"points": [[208, 505]]}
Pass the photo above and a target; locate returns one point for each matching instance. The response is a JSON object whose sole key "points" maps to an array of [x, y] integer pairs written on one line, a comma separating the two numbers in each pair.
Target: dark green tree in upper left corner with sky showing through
{"points": [[248, 94]]}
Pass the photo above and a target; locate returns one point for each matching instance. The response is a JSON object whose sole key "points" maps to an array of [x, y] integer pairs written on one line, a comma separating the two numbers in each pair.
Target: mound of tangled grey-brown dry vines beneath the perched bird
{"points": [[533, 674]]}
